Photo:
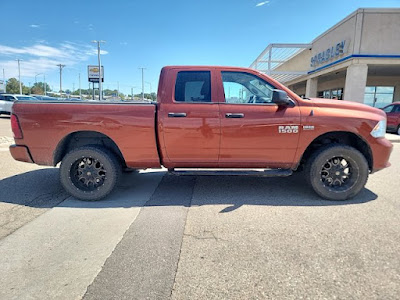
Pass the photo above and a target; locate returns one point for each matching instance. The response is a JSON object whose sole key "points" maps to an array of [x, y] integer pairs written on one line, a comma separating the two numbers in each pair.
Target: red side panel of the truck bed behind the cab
{"points": [[47, 125]]}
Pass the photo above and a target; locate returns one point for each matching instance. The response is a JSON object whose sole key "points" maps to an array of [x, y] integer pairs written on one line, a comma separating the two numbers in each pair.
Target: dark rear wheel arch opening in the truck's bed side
{"points": [[85, 138]]}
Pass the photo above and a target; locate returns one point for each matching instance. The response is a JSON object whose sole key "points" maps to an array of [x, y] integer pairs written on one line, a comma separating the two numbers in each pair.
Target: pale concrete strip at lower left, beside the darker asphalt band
{"points": [[60, 253]]}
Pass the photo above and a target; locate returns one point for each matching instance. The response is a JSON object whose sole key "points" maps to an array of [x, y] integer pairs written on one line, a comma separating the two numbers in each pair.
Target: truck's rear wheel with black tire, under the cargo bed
{"points": [[89, 173]]}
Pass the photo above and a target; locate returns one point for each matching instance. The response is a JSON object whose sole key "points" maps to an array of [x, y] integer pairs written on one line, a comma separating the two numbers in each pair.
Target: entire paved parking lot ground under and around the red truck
{"points": [[166, 237]]}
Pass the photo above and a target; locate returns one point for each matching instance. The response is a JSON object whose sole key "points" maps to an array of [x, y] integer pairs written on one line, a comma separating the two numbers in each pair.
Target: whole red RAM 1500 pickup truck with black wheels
{"points": [[207, 118]]}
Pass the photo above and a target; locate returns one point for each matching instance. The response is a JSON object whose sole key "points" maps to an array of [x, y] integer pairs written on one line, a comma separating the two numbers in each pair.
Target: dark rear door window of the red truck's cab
{"points": [[193, 86]]}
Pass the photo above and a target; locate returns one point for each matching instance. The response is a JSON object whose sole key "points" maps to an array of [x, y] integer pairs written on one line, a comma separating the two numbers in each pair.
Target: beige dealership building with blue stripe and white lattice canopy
{"points": [[358, 60]]}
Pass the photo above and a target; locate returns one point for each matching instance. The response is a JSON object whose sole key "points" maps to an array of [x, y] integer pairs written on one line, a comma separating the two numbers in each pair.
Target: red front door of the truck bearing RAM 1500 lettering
{"points": [[254, 131]]}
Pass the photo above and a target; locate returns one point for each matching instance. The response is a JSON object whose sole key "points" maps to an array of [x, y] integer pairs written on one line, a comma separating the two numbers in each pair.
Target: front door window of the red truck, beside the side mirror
{"points": [[242, 88]]}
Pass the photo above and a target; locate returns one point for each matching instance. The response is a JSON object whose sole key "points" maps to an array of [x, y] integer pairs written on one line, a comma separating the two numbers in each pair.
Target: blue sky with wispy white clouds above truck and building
{"points": [[153, 34]]}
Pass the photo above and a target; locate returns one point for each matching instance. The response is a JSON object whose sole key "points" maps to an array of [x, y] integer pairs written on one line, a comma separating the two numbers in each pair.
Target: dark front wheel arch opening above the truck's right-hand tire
{"points": [[339, 137]]}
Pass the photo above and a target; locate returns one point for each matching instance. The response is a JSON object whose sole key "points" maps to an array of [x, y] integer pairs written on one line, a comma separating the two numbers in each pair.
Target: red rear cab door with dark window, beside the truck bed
{"points": [[189, 125]]}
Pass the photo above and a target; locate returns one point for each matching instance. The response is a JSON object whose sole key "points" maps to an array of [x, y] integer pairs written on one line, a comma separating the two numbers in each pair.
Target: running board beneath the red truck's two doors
{"points": [[232, 172]]}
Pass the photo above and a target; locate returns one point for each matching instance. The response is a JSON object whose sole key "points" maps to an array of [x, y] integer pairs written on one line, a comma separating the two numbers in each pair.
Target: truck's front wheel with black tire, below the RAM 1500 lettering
{"points": [[337, 172]]}
